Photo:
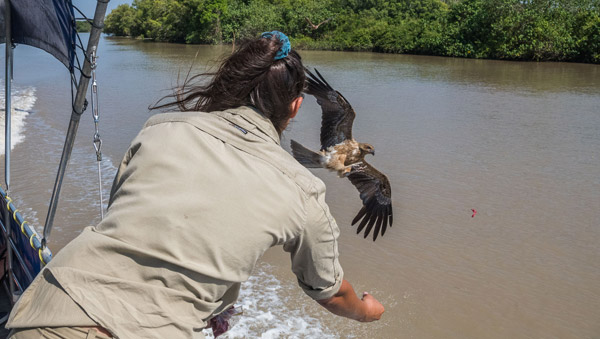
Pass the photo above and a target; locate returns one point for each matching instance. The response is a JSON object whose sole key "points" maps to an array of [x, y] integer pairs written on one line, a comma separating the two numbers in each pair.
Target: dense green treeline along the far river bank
{"points": [[566, 30]]}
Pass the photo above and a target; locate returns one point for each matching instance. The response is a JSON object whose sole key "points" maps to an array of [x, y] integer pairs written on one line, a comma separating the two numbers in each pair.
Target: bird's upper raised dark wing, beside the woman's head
{"points": [[338, 115]]}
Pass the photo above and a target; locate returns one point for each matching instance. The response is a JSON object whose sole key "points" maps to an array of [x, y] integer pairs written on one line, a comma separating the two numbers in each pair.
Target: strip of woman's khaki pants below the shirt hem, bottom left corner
{"points": [[56, 333]]}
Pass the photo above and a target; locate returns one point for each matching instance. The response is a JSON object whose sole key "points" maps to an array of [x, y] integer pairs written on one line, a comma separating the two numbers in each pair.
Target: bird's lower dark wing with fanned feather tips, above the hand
{"points": [[376, 194]]}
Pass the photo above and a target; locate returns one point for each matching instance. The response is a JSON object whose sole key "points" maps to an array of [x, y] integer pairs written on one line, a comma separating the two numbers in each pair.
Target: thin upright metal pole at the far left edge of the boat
{"points": [[7, 141]]}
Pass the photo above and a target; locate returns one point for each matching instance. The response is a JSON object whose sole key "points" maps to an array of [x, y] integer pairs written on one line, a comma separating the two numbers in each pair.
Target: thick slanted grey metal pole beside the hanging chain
{"points": [[78, 108]]}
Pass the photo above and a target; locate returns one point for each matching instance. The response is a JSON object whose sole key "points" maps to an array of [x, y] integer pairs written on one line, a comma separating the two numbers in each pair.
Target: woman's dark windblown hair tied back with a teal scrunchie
{"points": [[249, 77]]}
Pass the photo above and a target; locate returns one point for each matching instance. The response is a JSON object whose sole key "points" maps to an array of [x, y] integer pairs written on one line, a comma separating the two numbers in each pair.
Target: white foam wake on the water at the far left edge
{"points": [[23, 101]]}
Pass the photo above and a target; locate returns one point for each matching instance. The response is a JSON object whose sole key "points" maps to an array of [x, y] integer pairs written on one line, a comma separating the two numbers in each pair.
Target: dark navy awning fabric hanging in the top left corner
{"points": [[45, 24]]}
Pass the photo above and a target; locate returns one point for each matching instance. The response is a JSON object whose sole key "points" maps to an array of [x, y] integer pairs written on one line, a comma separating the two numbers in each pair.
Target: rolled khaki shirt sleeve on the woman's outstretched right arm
{"points": [[314, 252]]}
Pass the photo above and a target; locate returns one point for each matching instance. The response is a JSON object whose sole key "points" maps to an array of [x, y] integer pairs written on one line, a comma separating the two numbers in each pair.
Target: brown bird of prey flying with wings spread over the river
{"points": [[342, 153]]}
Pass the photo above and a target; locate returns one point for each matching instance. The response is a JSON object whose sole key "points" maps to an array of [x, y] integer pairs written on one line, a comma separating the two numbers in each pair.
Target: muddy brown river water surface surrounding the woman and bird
{"points": [[518, 142]]}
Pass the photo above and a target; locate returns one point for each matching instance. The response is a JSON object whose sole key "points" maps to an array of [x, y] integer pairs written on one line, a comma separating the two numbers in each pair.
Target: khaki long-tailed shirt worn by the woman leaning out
{"points": [[198, 198]]}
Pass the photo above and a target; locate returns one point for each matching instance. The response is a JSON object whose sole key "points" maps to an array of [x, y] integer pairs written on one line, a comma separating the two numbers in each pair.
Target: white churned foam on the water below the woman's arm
{"points": [[267, 316]]}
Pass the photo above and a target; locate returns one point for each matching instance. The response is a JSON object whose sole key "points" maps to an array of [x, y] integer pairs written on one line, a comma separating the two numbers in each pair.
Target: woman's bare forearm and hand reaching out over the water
{"points": [[345, 303]]}
